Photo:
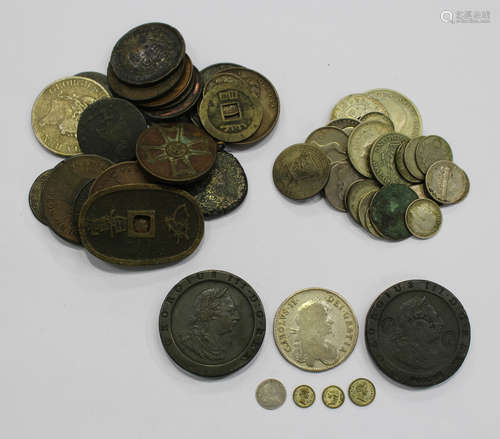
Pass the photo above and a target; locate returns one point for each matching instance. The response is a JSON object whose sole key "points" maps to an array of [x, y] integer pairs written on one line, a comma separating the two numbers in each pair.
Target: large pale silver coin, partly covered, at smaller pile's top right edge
{"points": [[401, 111]]}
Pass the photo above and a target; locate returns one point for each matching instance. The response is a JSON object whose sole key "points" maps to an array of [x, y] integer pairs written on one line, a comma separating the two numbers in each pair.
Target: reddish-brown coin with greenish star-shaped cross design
{"points": [[176, 152]]}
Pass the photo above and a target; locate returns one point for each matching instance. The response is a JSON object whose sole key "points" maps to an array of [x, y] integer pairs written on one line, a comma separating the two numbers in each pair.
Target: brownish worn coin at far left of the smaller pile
{"points": [[301, 171]]}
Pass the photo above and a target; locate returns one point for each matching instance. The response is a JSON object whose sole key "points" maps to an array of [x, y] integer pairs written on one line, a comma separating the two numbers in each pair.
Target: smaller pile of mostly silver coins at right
{"points": [[371, 160]]}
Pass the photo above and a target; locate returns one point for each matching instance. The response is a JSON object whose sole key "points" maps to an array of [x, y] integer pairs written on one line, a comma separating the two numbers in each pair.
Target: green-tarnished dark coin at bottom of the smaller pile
{"points": [[388, 210]]}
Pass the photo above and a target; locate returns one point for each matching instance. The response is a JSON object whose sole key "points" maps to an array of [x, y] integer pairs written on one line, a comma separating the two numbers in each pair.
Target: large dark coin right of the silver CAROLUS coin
{"points": [[418, 333]]}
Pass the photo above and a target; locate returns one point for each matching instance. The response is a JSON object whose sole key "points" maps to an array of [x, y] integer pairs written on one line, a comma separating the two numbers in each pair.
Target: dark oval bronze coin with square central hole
{"points": [[141, 225]]}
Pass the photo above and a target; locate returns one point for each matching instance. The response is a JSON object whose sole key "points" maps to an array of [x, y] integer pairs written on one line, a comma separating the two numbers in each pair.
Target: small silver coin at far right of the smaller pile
{"points": [[446, 182]]}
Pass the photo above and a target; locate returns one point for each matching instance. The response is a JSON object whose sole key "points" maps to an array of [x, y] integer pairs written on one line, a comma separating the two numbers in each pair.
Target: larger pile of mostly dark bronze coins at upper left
{"points": [[146, 147]]}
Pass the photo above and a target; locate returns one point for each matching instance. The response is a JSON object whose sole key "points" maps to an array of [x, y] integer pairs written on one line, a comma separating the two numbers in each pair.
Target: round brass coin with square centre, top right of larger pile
{"points": [[230, 113]]}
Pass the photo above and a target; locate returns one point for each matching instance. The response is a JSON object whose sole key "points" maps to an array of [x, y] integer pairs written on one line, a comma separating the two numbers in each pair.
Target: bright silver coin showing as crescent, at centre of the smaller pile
{"points": [[360, 143]]}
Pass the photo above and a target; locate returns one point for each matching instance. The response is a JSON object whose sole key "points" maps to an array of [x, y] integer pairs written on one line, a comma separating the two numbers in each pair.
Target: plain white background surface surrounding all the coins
{"points": [[81, 355]]}
